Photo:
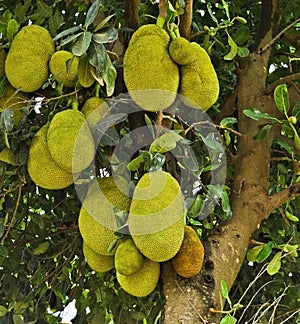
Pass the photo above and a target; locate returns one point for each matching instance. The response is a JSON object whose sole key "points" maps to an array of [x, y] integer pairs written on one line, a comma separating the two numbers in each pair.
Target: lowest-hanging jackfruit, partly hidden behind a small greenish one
{"points": [[142, 282]]}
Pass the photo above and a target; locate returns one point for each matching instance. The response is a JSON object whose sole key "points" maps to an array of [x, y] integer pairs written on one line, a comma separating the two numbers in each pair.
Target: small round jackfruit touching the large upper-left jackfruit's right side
{"points": [[63, 66]]}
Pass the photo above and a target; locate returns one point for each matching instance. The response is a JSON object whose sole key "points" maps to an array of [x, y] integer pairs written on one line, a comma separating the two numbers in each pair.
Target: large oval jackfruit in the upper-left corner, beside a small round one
{"points": [[26, 64]]}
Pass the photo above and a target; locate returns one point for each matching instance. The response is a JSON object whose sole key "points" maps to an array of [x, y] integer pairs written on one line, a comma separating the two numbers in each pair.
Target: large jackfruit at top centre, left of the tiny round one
{"points": [[150, 75]]}
